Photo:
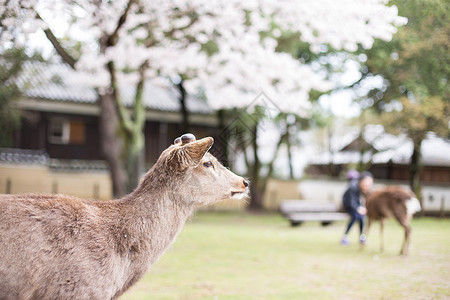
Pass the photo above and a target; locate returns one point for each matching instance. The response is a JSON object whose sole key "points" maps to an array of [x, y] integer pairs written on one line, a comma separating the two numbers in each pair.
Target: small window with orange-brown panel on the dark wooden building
{"points": [[63, 131]]}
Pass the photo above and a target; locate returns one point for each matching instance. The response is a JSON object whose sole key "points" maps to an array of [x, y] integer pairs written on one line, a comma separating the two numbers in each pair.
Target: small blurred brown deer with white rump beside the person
{"points": [[394, 202]]}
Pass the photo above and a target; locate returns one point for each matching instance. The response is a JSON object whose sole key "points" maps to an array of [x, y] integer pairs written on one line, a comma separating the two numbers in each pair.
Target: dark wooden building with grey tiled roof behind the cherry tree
{"points": [[60, 115]]}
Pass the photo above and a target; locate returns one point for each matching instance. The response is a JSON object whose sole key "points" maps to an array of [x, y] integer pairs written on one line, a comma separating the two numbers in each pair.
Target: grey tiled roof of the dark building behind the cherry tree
{"points": [[57, 81]]}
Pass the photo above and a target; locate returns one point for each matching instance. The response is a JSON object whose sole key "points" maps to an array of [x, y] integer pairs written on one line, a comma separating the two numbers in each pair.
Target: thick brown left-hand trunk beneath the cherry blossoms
{"points": [[111, 144]]}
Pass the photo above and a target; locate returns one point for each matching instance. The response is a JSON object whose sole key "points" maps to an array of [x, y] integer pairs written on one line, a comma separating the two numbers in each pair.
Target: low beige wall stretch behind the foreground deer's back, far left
{"points": [[39, 179]]}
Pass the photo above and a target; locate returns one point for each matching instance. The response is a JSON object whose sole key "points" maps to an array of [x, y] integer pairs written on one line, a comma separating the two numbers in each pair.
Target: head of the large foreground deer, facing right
{"points": [[197, 175]]}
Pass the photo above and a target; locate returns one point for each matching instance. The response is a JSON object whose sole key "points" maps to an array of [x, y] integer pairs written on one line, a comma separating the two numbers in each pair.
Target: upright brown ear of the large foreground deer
{"points": [[192, 153]]}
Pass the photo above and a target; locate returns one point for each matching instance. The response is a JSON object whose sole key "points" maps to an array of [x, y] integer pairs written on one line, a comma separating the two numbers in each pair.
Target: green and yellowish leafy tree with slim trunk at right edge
{"points": [[414, 96]]}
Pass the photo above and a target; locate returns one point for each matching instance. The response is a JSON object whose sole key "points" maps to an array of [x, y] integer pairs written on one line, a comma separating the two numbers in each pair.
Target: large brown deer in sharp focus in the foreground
{"points": [[63, 247]]}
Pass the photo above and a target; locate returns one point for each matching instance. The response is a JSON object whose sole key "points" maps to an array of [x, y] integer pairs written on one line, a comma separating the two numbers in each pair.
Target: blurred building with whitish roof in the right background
{"points": [[387, 156]]}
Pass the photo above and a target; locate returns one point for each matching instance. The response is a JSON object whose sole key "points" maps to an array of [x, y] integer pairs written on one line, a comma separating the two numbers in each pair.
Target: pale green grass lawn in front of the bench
{"points": [[243, 256]]}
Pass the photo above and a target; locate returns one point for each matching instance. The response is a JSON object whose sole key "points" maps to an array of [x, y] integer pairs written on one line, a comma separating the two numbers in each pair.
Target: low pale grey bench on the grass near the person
{"points": [[299, 211]]}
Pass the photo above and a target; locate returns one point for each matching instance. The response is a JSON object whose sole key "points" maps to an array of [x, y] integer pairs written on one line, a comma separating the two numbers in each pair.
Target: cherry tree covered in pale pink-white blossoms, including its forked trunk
{"points": [[226, 48]]}
